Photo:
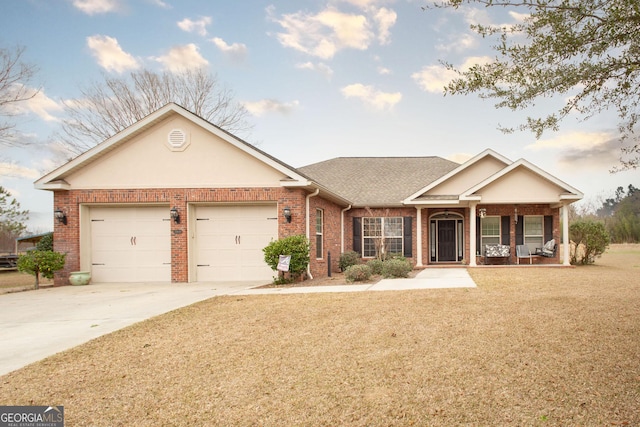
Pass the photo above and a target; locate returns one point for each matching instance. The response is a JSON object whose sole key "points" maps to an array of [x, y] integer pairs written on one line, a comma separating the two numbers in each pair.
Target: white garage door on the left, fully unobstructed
{"points": [[130, 244]]}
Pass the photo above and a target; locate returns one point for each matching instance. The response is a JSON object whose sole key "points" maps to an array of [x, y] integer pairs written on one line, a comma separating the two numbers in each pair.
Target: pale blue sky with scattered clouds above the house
{"points": [[320, 79]]}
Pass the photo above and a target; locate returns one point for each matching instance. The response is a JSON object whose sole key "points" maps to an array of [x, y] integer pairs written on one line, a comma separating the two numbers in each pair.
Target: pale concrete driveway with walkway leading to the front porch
{"points": [[37, 324]]}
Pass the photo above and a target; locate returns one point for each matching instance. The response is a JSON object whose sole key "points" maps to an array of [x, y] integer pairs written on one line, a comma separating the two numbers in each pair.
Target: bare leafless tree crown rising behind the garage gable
{"points": [[107, 107]]}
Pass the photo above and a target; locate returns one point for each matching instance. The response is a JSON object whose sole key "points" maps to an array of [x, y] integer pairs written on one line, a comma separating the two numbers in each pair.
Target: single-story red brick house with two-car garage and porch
{"points": [[174, 198]]}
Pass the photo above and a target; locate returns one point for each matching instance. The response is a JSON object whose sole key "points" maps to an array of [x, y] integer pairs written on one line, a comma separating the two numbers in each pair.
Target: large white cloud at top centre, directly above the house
{"points": [[323, 34]]}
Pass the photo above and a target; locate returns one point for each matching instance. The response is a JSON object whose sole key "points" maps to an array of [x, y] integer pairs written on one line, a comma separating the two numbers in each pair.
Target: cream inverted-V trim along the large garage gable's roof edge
{"points": [[55, 180]]}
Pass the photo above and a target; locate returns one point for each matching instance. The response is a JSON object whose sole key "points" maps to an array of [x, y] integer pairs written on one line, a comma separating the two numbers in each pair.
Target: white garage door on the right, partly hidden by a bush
{"points": [[230, 239]]}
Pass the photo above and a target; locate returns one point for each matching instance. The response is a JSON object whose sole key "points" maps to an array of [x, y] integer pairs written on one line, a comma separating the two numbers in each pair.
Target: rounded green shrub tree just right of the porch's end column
{"points": [[592, 237]]}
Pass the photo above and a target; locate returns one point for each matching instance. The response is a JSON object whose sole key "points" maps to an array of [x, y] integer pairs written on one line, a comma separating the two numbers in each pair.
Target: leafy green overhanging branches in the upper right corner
{"points": [[586, 51]]}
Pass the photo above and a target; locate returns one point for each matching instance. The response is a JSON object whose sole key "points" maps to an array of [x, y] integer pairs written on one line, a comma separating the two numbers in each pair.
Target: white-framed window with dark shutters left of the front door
{"points": [[382, 236]]}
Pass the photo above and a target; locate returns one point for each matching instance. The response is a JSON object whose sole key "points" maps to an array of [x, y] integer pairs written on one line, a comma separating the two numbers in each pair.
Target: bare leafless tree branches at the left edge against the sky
{"points": [[15, 74]]}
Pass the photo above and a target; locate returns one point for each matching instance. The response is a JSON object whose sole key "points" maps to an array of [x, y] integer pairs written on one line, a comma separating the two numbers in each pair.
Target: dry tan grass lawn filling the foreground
{"points": [[528, 347]]}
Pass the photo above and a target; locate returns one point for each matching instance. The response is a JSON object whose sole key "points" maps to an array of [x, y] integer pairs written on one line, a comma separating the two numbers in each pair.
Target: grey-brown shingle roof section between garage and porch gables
{"points": [[377, 181]]}
